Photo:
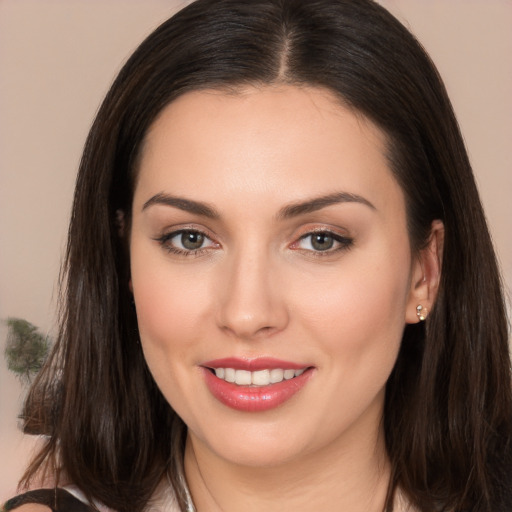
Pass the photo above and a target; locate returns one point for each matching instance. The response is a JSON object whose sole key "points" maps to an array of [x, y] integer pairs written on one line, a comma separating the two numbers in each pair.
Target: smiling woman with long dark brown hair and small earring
{"points": [[281, 290]]}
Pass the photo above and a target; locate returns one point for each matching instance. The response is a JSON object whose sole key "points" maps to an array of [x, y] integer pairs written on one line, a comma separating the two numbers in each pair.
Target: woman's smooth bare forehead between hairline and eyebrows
{"points": [[276, 141]]}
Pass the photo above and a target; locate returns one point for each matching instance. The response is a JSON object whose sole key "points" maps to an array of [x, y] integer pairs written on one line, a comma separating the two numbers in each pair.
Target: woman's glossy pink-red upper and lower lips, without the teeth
{"points": [[254, 398]]}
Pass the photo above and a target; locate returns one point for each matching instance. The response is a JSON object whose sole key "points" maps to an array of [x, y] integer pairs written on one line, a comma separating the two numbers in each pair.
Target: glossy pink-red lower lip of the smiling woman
{"points": [[254, 398]]}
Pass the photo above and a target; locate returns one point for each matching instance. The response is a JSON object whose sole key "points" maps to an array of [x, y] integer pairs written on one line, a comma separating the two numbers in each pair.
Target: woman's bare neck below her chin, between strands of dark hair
{"points": [[350, 474]]}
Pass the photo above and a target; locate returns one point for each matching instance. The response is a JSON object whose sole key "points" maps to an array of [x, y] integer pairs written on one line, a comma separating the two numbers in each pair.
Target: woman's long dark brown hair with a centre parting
{"points": [[448, 411]]}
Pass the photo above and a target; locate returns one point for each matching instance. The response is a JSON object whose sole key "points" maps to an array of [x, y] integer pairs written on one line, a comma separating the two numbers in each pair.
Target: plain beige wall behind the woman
{"points": [[57, 59]]}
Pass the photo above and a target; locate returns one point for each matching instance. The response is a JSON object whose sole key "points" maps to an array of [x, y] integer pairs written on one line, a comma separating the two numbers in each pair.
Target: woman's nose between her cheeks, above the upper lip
{"points": [[251, 301]]}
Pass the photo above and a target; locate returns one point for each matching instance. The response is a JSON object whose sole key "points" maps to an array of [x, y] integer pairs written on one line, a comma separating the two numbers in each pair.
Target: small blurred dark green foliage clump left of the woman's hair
{"points": [[26, 349]]}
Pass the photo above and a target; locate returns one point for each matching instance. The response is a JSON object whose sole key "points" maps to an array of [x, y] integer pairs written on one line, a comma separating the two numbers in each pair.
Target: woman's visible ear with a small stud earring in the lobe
{"points": [[425, 275]]}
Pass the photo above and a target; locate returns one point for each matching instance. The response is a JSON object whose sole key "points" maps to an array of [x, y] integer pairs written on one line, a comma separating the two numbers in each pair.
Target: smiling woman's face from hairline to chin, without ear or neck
{"points": [[268, 241]]}
